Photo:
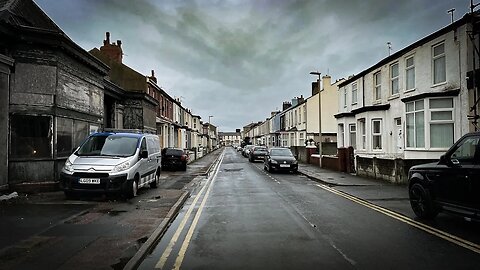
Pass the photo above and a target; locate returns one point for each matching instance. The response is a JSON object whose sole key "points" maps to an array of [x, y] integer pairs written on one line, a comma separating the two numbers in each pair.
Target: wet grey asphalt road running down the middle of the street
{"points": [[245, 218]]}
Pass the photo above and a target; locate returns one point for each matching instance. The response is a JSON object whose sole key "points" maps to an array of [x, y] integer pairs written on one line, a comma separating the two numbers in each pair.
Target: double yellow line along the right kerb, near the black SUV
{"points": [[446, 236]]}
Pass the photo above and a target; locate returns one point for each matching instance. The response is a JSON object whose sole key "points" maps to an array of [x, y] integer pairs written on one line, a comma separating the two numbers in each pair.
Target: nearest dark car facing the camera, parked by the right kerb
{"points": [[280, 159]]}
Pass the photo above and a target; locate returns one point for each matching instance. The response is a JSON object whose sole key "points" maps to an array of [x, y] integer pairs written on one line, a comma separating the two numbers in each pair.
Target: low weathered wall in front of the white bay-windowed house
{"points": [[391, 170]]}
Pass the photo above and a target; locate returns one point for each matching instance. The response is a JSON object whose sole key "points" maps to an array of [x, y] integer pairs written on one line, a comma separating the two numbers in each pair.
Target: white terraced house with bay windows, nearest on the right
{"points": [[411, 106]]}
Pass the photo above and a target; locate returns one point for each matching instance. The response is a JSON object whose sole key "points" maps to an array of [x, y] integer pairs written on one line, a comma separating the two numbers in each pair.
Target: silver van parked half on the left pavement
{"points": [[112, 162]]}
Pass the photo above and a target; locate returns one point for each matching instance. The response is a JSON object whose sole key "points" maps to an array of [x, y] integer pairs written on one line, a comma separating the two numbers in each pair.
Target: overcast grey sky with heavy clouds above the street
{"points": [[239, 60]]}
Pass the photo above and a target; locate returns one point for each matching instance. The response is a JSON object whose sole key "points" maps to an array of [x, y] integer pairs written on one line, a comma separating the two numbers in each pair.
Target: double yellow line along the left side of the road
{"points": [[183, 249]]}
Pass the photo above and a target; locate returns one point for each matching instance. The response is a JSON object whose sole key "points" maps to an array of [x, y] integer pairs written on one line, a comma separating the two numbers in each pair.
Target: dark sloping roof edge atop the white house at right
{"points": [[403, 51]]}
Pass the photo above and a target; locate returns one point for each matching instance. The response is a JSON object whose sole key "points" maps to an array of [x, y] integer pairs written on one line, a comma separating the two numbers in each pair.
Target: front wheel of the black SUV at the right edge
{"points": [[421, 202]]}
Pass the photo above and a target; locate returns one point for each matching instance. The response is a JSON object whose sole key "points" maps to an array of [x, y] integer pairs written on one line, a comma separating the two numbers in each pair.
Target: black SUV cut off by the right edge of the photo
{"points": [[450, 185]]}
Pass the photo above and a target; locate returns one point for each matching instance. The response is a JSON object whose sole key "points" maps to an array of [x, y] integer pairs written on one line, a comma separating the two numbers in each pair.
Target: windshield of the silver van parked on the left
{"points": [[109, 145]]}
